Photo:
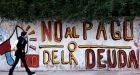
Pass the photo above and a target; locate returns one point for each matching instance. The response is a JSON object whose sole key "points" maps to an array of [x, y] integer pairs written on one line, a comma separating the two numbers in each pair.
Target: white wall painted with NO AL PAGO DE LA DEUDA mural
{"points": [[72, 45]]}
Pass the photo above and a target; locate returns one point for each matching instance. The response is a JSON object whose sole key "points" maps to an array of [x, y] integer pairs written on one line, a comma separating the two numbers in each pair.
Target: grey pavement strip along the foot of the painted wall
{"points": [[137, 72]]}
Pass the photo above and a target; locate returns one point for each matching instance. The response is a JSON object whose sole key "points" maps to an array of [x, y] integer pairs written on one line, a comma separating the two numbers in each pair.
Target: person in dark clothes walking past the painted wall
{"points": [[20, 53]]}
